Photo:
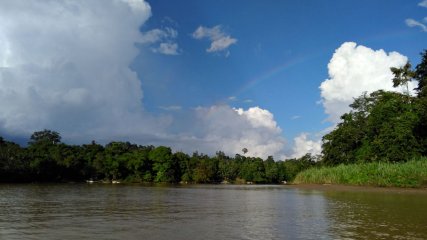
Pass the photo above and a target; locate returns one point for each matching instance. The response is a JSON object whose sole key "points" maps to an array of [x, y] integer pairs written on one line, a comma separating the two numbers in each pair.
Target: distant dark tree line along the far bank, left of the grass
{"points": [[47, 159]]}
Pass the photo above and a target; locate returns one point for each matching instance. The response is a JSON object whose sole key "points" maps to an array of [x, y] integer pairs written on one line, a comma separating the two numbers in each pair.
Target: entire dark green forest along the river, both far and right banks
{"points": [[381, 127]]}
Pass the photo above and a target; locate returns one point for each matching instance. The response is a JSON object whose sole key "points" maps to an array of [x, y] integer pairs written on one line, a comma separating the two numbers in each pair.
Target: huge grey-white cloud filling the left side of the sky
{"points": [[65, 66]]}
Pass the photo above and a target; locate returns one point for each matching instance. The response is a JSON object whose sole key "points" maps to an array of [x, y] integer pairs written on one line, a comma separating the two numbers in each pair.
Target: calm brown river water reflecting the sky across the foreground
{"points": [[80, 211]]}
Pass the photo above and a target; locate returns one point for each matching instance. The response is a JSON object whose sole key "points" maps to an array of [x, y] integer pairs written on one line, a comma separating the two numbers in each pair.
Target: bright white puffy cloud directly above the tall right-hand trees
{"points": [[353, 70]]}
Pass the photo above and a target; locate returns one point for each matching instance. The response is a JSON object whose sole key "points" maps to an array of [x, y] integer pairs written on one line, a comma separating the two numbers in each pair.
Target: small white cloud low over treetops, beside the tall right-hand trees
{"points": [[303, 145]]}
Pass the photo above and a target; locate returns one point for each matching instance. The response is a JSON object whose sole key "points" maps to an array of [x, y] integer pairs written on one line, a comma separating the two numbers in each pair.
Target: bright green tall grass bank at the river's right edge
{"points": [[409, 174]]}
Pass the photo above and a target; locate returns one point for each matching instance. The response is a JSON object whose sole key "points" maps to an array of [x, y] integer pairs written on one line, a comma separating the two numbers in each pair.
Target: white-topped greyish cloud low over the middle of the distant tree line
{"points": [[254, 129]]}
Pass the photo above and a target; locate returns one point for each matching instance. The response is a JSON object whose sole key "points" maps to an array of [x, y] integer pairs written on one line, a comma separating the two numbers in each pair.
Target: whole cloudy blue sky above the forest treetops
{"points": [[206, 76]]}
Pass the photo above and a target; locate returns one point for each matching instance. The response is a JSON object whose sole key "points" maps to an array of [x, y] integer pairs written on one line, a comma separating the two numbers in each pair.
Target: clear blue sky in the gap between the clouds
{"points": [[281, 55]]}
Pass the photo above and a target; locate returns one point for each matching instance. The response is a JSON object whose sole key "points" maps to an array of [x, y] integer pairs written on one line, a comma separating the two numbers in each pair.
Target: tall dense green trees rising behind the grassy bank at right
{"points": [[381, 127]]}
